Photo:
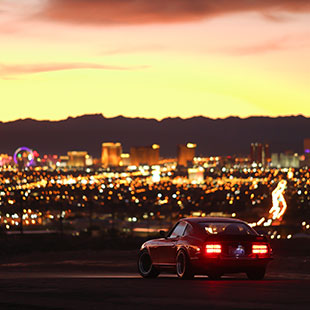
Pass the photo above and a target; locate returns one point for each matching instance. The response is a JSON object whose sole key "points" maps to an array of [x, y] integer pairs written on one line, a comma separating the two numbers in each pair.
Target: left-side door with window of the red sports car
{"points": [[167, 246]]}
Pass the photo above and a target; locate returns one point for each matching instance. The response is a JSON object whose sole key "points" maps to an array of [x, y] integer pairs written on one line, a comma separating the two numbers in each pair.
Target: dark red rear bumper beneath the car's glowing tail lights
{"points": [[228, 265]]}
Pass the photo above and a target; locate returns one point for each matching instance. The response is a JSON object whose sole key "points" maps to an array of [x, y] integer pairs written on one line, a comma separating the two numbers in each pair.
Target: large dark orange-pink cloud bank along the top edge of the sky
{"points": [[161, 11]]}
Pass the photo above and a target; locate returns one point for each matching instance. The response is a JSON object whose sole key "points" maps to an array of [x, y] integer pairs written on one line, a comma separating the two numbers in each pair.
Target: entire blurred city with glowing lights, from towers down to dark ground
{"points": [[140, 192]]}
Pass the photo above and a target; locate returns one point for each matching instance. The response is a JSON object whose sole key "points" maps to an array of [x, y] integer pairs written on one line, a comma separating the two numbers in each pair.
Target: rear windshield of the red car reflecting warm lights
{"points": [[227, 228]]}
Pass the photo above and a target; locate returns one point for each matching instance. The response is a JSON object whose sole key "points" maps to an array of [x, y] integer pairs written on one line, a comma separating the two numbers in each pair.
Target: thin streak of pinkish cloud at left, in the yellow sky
{"points": [[12, 70]]}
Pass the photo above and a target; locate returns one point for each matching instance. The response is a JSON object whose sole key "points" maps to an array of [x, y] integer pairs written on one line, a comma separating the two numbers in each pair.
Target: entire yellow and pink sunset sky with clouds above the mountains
{"points": [[154, 58]]}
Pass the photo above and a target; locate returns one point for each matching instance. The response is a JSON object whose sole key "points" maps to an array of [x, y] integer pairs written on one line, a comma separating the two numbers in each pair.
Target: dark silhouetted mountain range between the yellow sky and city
{"points": [[229, 136]]}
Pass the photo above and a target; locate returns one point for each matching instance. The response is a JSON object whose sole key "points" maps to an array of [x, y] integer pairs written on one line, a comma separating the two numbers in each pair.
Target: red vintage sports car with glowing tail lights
{"points": [[207, 246]]}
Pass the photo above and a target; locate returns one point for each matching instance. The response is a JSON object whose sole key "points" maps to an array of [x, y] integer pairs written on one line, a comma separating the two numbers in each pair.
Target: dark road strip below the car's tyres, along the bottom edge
{"points": [[89, 290]]}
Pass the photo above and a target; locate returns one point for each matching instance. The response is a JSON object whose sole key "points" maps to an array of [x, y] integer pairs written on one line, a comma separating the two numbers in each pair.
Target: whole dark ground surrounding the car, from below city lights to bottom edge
{"points": [[108, 280]]}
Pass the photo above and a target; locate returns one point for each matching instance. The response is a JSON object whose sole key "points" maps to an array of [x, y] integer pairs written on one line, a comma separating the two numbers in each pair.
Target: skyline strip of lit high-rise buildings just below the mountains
{"points": [[112, 157]]}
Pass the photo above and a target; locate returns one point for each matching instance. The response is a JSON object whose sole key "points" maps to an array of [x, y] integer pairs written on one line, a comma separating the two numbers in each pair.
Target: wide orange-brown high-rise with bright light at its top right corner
{"points": [[144, 155]]}
